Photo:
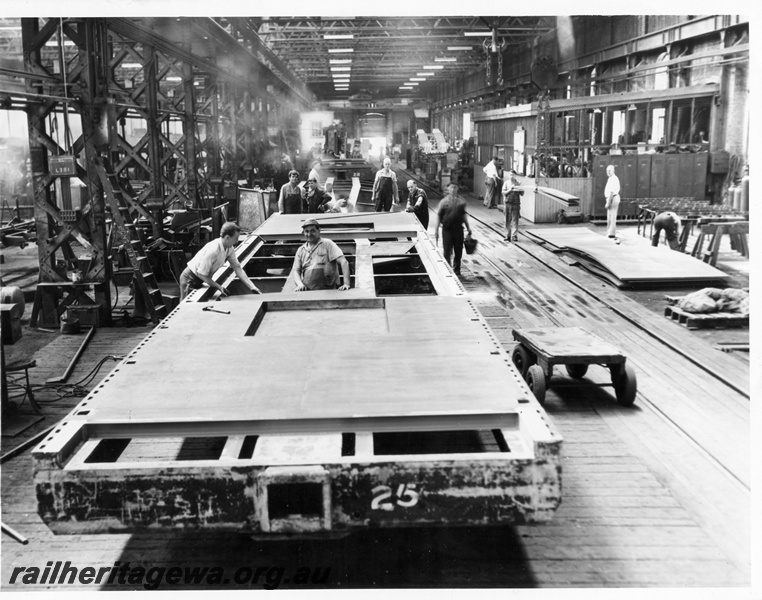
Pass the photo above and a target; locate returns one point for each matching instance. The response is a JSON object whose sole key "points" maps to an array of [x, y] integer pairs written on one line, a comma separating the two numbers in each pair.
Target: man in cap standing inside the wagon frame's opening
{"points": [[317, 262]]}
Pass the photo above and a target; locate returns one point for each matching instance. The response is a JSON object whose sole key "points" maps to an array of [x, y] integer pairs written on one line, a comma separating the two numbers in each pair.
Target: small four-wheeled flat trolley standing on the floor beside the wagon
{"points": [[576, 348]]}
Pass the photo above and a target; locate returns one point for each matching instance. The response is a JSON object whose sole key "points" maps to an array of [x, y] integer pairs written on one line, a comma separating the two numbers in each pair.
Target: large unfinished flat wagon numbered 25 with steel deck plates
{"points": [[313, 413]]}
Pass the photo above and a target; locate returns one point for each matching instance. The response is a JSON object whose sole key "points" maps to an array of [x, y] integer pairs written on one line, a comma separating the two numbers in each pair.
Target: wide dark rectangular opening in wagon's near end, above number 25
{"points": [[439, 442]]}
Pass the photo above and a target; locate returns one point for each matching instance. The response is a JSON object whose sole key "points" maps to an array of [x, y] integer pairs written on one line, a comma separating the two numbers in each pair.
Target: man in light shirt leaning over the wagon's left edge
{"points": [[210, 258]]}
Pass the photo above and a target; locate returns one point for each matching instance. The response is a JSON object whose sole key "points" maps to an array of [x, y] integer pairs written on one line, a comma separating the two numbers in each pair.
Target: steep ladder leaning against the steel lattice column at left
{"points": [[122, 208]]}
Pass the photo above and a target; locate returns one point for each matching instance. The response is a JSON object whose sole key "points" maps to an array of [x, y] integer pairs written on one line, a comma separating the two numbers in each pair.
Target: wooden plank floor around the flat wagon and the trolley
{"points": [[654, 495]]}
